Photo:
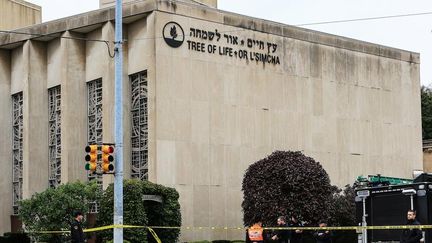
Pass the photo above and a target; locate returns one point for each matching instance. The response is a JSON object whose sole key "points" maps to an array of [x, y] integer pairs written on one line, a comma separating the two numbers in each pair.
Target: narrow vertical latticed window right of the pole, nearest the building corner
{"points": [[139, 133]]}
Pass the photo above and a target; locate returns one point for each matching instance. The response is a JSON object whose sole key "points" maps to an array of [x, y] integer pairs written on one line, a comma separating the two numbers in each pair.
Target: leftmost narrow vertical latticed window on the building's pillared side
{"points": [[17, 149]]}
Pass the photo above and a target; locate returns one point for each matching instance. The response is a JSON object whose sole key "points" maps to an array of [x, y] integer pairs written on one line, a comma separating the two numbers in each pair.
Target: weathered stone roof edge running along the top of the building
{"points": [[131, 11]]}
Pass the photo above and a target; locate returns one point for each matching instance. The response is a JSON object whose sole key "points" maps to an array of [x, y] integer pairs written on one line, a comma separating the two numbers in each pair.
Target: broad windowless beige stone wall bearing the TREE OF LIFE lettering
{"points": [[356, 112]]}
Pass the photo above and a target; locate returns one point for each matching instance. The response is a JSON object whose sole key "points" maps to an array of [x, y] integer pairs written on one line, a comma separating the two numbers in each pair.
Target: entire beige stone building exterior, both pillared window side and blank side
{"points": [[236, 89]]}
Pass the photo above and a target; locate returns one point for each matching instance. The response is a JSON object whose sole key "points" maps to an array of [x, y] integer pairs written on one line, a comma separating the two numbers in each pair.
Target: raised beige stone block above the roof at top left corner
{"points": [[17, 14]]}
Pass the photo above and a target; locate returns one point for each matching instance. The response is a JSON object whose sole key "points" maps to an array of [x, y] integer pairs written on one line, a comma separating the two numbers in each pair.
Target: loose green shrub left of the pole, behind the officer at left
{"points": [[53, 208]]}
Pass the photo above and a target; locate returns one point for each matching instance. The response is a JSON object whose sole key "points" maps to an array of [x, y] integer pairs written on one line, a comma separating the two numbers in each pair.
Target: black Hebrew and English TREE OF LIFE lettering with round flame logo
{"points": [[222, 43]]}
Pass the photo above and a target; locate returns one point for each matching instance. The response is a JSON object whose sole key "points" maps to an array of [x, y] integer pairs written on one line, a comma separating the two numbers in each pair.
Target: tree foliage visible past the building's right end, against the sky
{"points": [[426, 109]]}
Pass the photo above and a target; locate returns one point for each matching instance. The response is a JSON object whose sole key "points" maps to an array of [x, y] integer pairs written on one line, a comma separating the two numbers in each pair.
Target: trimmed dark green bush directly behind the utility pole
{"points": [[143, 213]]}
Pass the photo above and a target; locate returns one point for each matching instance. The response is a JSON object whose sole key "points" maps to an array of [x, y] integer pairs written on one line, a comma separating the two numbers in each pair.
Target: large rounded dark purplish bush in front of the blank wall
{"points": [[286, 183]]}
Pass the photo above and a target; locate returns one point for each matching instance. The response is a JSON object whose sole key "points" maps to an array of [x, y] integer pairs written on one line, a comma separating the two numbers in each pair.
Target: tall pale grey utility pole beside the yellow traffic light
{"points": [[118, 124]]}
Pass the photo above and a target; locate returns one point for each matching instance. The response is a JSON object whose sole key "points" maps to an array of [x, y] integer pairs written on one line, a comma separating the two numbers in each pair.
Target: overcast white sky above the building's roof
{"points": [[409, 33]]}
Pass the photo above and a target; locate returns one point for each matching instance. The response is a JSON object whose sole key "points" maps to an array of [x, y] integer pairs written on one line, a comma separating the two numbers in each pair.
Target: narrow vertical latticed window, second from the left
{"points": [[54, 136]]}
